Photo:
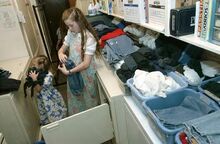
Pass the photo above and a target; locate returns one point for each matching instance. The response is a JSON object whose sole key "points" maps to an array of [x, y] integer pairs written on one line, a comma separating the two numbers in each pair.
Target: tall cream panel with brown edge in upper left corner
{"points": [[19, 32]]}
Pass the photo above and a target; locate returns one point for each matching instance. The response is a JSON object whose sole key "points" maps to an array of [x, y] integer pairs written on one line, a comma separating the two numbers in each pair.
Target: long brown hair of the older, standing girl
{"points": [[76, 15]]}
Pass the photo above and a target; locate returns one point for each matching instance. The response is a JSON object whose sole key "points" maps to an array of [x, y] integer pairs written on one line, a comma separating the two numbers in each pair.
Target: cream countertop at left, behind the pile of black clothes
{"points": [[17, 66]]}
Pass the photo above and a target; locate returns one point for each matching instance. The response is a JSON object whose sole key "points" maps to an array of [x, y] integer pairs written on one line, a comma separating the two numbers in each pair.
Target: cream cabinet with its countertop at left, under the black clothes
{"points": [[19, 121]]}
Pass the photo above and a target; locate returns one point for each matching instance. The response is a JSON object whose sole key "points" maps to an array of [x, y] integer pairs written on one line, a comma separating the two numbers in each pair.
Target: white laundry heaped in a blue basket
{"points": [[154, 83]]}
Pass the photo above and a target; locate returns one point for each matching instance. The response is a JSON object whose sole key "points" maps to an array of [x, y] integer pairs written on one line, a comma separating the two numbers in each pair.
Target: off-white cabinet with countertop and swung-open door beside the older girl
{"points": [[95, 125]]}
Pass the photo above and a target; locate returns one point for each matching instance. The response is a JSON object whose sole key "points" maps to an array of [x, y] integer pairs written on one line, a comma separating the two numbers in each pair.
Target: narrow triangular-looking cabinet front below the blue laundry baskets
{"points": [[134, 132]]}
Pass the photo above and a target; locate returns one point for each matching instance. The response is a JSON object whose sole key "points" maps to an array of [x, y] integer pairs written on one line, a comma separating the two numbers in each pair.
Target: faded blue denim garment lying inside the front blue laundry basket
{"points": [[190, 108]]}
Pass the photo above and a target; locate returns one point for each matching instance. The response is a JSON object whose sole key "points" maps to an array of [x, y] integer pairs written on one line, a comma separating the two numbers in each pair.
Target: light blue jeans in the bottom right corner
{"points": [[206, 129]]}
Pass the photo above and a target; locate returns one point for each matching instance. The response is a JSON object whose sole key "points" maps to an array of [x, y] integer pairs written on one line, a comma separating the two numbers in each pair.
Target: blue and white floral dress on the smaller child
{"points": [[51, 106]]}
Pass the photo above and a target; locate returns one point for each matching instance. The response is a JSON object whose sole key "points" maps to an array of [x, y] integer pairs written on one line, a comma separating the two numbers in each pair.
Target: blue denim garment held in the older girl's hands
{"points": [[75, 80]]}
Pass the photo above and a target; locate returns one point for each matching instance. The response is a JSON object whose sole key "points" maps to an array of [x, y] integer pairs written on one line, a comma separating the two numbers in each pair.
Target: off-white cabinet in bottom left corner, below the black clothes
{"points": [[19, 123]]}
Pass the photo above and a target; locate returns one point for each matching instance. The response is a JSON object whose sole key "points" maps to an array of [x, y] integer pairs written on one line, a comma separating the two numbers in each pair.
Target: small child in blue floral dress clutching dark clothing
{"points": [[51, 106]]}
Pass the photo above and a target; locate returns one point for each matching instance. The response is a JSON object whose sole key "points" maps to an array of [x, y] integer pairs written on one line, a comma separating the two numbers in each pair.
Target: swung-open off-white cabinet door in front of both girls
{"points": [[92, 126]]}
